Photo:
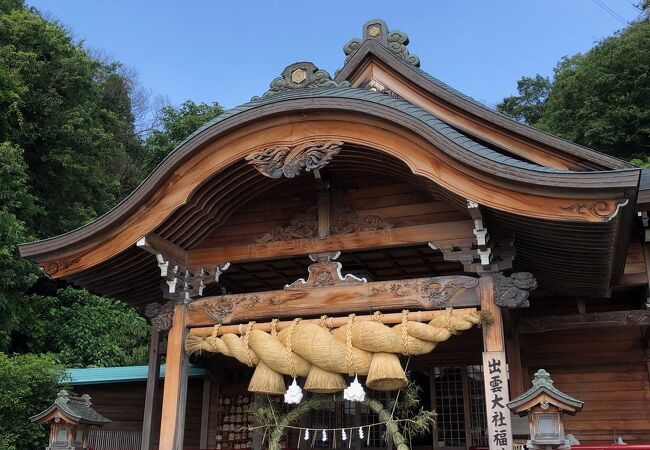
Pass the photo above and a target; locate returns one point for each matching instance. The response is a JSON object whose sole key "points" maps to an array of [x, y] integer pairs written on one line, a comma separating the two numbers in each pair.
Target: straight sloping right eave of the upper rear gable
{"points": [[470, 116]]}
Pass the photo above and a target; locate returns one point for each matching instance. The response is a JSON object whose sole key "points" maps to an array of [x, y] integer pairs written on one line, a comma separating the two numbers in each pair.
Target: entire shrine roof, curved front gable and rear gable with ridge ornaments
{"points": [[605, 197]]}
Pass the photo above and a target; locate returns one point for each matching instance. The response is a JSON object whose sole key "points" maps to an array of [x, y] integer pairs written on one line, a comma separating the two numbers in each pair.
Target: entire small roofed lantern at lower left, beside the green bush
{"points": [[69, 418]]}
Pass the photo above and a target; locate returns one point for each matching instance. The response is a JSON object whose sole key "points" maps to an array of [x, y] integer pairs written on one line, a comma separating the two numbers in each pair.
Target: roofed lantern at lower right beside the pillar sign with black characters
{"points": [[545, 405]]}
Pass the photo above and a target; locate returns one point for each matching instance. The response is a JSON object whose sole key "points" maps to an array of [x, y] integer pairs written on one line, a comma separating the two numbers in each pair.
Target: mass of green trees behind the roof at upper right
{"points": [[600, 99]]}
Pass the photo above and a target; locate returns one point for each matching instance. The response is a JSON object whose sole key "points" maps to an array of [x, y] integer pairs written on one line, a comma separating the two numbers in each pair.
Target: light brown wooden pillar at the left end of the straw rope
{"points": [[172, 422]]}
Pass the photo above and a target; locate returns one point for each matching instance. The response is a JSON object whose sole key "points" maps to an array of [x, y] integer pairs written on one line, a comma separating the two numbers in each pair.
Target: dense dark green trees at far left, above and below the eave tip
{"points": [[67, 154]]}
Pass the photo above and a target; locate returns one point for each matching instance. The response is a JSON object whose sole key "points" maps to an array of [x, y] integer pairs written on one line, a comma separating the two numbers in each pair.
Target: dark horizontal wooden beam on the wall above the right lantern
{"points": [[588, 320]]}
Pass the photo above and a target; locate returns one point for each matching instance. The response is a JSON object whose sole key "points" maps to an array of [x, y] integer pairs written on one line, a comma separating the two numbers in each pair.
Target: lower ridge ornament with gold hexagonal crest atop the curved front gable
{"points": [[301, 75]]}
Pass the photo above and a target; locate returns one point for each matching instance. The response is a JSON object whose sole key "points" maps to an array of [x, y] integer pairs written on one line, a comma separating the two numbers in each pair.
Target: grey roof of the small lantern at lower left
{"points": [[71, 409]]}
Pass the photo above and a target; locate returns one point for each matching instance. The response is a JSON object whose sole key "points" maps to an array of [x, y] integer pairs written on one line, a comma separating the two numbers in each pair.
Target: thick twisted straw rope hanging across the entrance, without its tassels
{"points": [[348, 349]]}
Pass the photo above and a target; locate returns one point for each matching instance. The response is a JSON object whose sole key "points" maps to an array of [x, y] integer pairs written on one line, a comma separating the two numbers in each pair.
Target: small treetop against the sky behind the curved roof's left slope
{"points": [[176, 123]]}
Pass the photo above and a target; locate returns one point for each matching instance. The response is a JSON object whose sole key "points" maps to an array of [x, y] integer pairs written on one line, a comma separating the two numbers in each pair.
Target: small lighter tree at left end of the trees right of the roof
{"points": [[528, 106]]}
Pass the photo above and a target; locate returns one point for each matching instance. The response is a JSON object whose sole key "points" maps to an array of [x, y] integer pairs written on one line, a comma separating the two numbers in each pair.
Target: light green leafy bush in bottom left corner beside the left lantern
{"points": [[29, 385]]}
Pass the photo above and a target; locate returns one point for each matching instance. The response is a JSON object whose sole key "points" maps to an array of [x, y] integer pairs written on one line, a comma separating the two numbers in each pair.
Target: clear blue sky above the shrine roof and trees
{"points": [[229, 51]]}
